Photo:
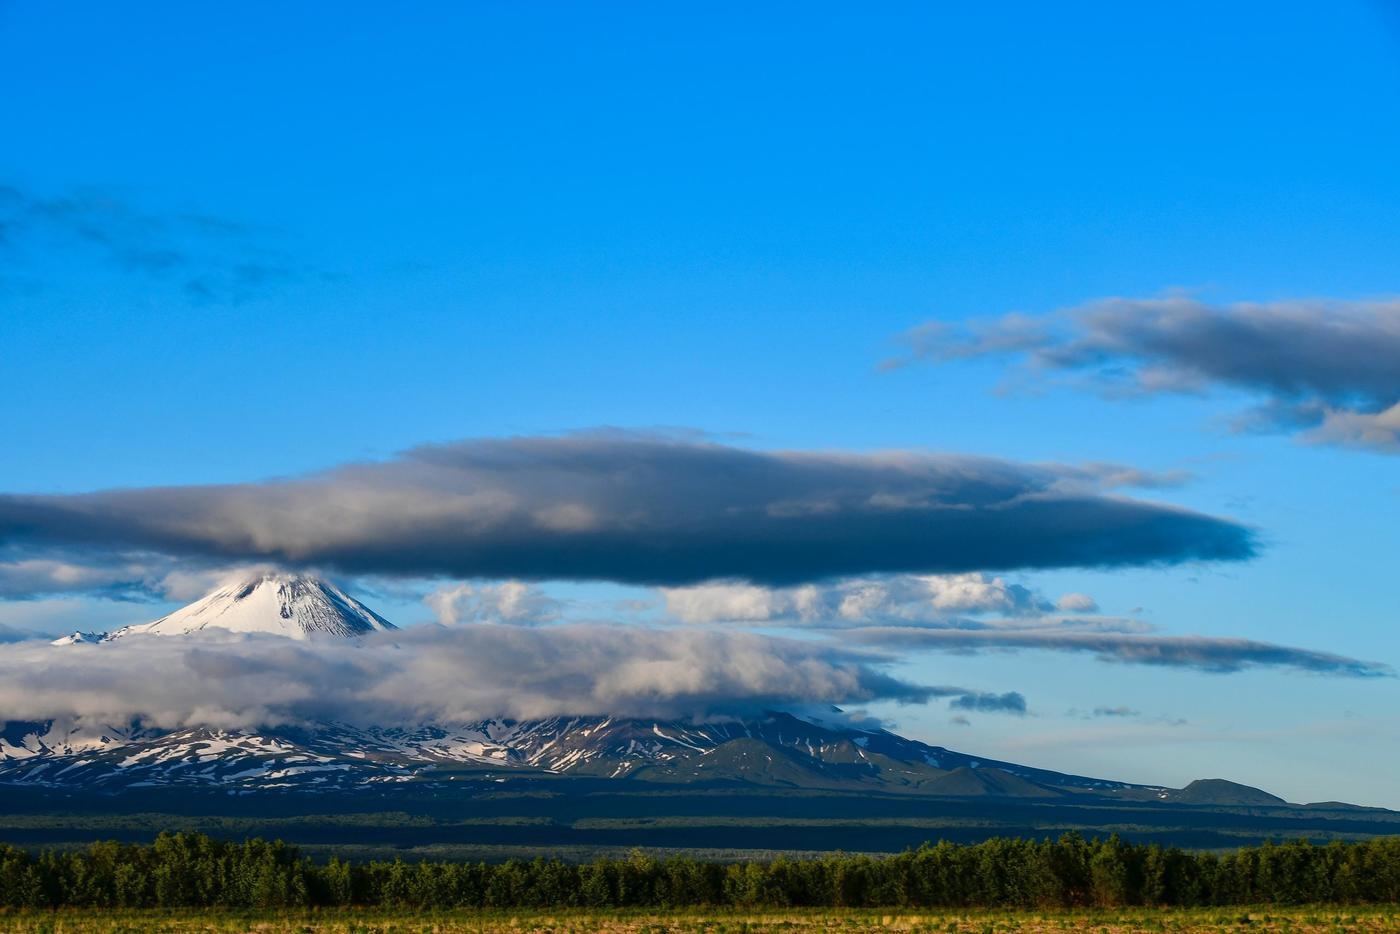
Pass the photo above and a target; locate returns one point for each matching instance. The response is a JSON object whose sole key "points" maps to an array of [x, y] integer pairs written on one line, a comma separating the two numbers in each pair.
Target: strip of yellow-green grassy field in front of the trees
{"points": [[796, 922]]}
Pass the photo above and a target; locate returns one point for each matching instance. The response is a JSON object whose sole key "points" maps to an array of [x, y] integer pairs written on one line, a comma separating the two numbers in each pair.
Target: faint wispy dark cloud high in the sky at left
{"points": [[205, 257]]}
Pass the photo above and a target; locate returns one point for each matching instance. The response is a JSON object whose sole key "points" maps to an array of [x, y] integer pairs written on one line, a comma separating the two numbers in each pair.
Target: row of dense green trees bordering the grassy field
{"points": [[191, 870]]}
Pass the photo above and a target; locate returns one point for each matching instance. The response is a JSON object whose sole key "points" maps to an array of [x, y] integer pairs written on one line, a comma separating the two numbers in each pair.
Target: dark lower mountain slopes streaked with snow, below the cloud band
{"points": [[772, 750]]}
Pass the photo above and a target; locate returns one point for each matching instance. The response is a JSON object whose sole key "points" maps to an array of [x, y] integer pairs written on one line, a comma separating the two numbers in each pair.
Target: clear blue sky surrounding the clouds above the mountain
{"points": [[481, 222]]}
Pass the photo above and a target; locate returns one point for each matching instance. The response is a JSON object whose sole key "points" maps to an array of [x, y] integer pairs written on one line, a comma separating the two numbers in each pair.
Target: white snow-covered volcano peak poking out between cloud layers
{"points": [[274, 604]]}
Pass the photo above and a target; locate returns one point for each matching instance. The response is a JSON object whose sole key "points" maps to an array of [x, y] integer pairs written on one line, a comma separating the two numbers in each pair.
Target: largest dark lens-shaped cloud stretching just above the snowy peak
{"points": [[642, 510]]}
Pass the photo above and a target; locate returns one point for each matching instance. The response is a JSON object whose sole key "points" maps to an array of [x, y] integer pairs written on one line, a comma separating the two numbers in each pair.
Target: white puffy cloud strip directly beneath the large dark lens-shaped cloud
{"points": [[943, 600]]}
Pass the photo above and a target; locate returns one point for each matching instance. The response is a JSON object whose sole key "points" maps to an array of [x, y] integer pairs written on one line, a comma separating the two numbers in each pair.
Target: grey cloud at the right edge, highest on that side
{"points": [[1328, 370]]}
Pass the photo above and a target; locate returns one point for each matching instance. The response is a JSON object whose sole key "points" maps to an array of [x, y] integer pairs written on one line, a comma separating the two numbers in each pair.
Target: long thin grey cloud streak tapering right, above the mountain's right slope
{"points": [[1202, 653]]}
